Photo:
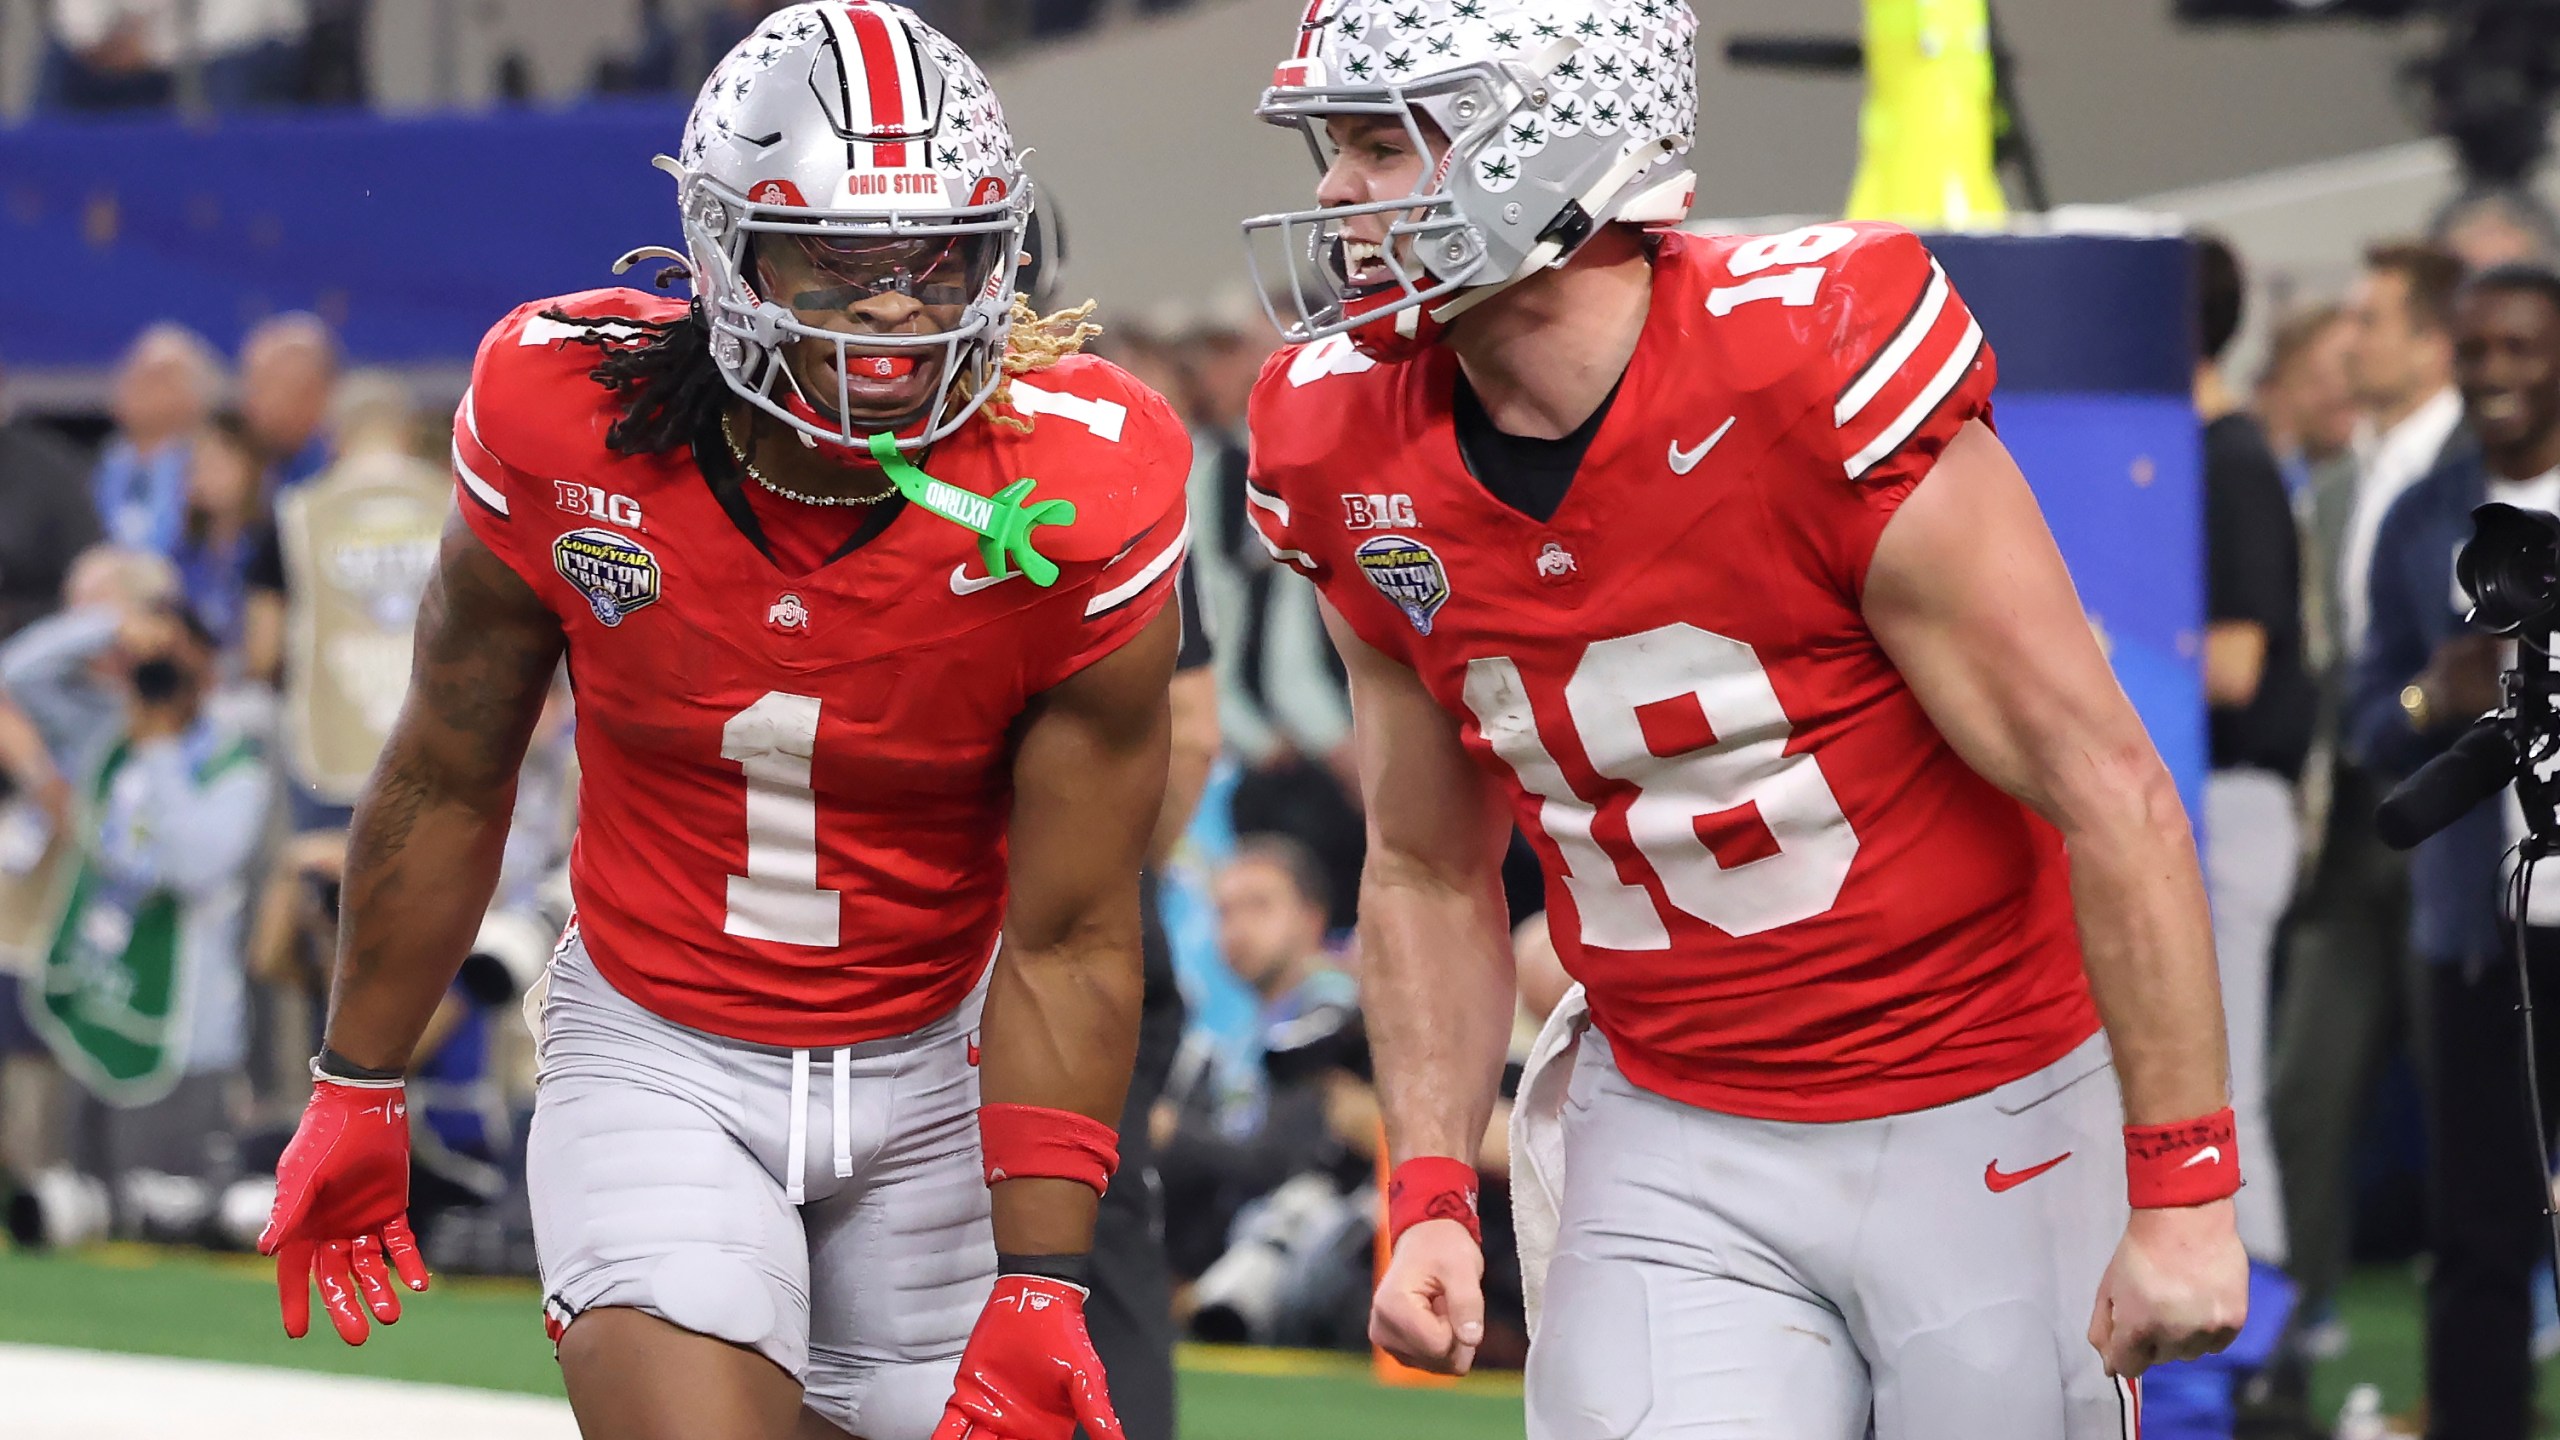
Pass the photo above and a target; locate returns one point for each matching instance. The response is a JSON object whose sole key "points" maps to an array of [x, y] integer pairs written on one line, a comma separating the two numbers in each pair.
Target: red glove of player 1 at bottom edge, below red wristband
{"points": [[1030, 1370]]}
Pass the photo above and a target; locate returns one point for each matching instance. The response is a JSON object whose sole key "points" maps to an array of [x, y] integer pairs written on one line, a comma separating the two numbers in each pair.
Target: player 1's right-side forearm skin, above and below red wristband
{"points": [[1061, 1034]]}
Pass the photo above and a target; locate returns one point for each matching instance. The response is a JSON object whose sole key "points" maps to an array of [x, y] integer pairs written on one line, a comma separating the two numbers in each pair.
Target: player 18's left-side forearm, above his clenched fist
{"points": [[1437, 995]]}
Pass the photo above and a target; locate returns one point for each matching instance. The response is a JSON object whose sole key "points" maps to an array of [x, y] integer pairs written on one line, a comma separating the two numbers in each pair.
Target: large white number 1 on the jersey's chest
{"points": [[780, 896]]}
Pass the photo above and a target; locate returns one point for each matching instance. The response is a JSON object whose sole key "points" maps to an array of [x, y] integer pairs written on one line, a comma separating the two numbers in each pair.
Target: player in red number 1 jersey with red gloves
{"points": [[861, 578]]}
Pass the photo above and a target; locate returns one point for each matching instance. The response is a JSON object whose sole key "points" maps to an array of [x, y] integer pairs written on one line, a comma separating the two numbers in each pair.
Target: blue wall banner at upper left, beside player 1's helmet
{"points": [[413, 237]]}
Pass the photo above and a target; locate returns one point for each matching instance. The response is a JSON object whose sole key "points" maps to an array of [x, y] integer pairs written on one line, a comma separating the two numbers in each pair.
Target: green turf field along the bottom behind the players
{"points": [[490, 1334]]}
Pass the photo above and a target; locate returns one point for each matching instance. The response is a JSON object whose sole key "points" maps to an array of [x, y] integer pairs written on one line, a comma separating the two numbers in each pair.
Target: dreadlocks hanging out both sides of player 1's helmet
{"points": [[675, 391]]}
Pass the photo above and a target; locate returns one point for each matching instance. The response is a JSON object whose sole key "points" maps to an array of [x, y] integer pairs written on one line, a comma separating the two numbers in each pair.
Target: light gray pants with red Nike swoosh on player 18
{"points": [[1755, 1280]]}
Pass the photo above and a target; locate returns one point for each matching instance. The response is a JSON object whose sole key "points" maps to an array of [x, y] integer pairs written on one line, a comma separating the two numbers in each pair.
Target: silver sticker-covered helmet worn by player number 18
{"points": [[1548, 119]]}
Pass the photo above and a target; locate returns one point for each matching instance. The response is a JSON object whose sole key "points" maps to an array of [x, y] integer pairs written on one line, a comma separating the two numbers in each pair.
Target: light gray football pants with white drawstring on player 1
{"points": [[823, 1208]]}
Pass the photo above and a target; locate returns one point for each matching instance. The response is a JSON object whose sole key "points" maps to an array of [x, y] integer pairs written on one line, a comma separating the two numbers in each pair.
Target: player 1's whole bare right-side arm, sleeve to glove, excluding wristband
{"points": [[1061, 1011]]}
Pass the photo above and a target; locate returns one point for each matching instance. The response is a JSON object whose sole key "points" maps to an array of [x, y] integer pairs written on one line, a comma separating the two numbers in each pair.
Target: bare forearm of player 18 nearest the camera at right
{"points": [[2147, 942]]}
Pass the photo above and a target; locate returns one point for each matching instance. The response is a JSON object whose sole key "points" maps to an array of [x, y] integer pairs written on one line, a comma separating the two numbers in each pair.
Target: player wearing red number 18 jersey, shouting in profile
{"points": [[1699, 562]]}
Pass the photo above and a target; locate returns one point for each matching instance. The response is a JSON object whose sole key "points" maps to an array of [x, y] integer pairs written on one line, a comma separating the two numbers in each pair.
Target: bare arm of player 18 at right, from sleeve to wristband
{"points": [[1972, 601]]}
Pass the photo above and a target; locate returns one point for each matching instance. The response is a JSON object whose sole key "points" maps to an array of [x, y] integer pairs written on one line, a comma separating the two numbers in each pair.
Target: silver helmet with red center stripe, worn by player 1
{"points": [[844, 152]]}
